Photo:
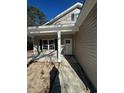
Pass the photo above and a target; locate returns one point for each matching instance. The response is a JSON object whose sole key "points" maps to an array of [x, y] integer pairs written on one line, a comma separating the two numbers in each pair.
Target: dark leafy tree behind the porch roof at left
{"points": [[35, 17]]}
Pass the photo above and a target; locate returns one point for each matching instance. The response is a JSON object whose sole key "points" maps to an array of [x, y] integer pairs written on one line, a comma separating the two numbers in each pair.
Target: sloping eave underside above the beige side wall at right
{"points": [[87, 7]]}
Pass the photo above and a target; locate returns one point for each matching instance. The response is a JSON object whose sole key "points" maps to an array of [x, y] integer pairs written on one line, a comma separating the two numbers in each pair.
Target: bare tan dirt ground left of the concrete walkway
{"points": [[40, 77]]}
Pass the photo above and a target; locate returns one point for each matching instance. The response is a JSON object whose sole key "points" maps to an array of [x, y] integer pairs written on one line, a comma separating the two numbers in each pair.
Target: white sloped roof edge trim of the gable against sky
{"points": [[77, 5]]}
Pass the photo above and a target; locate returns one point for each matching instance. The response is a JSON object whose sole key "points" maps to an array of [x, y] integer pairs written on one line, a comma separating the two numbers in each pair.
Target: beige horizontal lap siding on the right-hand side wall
{"points": [[86, 45]]}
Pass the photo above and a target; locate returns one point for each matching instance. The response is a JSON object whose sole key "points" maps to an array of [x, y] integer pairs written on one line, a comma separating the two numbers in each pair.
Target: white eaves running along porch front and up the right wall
{"points": [[89, 4]]}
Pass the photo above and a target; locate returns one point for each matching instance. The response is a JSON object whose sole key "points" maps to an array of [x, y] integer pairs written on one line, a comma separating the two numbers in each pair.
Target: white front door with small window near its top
{"points": [[68, 46]]}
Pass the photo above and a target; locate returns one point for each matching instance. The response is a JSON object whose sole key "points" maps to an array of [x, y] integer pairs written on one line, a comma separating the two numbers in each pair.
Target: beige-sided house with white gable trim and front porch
{"points": [[72, 32]]}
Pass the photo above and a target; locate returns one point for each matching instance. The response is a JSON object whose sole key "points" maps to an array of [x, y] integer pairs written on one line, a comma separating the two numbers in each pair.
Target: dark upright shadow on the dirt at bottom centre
{"points": [[54, 81]]}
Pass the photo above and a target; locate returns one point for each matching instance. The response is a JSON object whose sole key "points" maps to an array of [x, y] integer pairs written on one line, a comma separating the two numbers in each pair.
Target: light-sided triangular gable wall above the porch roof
{"points": [[66, 19]]}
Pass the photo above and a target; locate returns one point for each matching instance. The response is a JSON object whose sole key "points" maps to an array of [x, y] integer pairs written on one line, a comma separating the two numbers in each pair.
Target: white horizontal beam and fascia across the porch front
{"points": [[52, 29]]}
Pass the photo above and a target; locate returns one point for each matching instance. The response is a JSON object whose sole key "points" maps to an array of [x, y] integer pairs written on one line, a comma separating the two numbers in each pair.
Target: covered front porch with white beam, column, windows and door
{"points": [[49, 42]]}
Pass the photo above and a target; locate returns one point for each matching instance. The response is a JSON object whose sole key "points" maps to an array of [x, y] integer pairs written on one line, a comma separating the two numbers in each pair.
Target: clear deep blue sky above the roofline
{"points": [[52, 8]]}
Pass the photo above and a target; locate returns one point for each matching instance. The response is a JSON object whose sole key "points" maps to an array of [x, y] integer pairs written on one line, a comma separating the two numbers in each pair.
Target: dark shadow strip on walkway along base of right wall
{"points": [[80, 72]]}
